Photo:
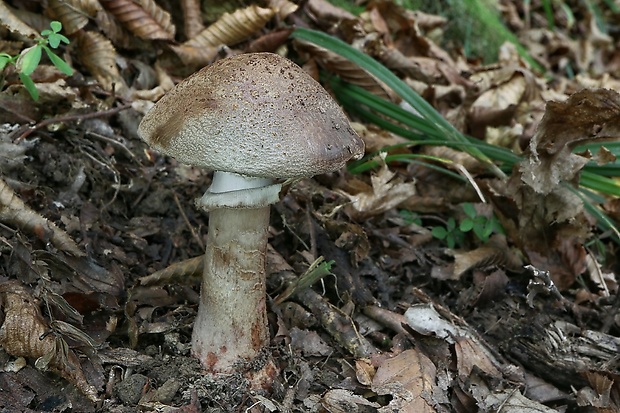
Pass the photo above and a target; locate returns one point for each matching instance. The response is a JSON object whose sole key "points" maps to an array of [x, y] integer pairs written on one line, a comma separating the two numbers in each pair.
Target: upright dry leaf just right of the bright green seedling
{"points": [[99, 56]]}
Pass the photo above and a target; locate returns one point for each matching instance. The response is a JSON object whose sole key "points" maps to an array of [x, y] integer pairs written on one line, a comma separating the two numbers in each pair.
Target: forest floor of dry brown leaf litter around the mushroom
{"points": [[416, 314]]}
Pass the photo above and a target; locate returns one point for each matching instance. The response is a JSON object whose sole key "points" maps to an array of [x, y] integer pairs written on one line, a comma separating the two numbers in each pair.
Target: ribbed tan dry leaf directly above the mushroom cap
{"points": [[228, 30]]}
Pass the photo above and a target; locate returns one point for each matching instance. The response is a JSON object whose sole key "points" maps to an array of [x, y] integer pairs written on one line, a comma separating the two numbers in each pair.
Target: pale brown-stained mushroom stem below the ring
{"points": [[231, 324]]}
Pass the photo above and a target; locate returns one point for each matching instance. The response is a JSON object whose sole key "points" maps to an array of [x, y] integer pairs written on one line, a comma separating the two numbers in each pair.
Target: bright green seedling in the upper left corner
{"points": [[28, 60]]}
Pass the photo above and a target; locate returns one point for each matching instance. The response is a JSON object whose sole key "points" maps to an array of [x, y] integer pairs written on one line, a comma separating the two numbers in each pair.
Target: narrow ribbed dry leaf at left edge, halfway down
{"points": [[14, 211]]}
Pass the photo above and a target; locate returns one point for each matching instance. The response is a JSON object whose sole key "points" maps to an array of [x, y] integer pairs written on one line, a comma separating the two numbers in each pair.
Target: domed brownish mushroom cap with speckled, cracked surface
{"points": [[256, 114]]}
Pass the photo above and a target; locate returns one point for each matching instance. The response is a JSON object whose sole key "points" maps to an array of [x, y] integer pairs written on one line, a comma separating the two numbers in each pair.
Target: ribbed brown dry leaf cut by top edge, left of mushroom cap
{"points": [[144, 18]]}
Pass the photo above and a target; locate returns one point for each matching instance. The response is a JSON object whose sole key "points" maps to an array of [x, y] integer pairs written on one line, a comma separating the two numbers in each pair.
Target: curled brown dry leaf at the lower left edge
{"points": [[25, 333]]}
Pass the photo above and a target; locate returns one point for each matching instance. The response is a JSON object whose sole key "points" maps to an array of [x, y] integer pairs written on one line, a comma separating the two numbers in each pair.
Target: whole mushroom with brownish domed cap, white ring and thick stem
{"points": [[255, 120]]}
